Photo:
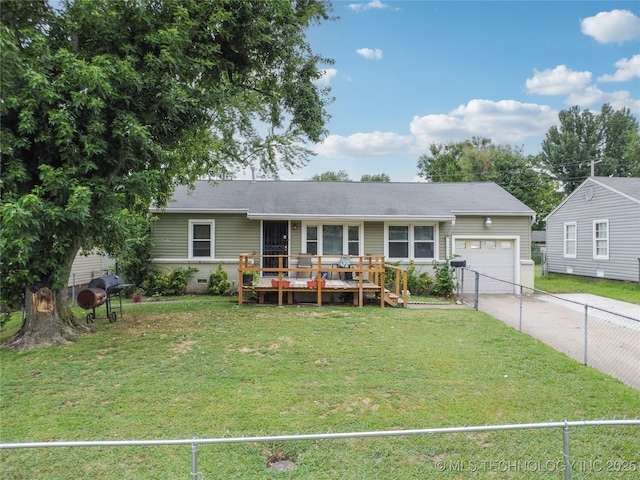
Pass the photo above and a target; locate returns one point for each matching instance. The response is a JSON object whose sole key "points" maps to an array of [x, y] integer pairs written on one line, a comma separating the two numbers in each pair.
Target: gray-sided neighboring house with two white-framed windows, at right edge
{"points": [[595, 231]]}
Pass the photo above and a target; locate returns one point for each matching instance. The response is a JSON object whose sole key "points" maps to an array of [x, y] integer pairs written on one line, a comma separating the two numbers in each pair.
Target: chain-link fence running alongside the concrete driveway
{"points": [[606, 340]]}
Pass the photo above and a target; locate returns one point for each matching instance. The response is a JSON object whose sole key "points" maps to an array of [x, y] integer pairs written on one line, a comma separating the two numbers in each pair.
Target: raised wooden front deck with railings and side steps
{"points": [[365, 277]]}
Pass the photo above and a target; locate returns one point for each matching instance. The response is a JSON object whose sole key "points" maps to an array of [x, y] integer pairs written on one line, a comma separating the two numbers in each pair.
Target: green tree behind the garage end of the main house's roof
{"points": [[479, 160]]}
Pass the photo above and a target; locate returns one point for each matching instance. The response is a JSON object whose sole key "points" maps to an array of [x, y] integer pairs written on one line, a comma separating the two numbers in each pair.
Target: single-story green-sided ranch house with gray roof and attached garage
{"points": [[405, 222]]}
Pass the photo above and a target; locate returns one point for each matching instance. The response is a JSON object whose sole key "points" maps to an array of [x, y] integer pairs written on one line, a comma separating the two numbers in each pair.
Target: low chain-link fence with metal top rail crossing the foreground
{"points": [[570, 450]]}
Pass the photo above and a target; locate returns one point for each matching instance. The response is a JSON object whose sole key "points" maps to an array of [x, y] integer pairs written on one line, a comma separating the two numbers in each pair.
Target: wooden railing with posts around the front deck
{"points": [[370, 270]]}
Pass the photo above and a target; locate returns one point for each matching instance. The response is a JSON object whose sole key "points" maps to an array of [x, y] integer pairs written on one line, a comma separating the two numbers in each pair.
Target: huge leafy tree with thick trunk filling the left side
{"points": [[108, 104]]}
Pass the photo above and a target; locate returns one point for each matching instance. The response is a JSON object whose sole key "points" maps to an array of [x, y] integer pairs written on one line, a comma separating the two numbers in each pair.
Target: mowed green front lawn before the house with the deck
{"points": [[202, 367]]}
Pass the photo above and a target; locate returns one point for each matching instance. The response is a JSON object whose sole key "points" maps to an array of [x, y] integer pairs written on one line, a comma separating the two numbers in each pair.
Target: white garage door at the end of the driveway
{"points": [[494, 258]]}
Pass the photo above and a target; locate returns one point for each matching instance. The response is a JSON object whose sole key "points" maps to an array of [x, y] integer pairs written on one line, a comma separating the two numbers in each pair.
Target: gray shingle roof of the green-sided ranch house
{"points": [[298, 199]]}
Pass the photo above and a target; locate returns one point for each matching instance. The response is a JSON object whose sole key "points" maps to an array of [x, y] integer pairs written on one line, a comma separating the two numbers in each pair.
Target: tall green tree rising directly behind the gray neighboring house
{"points": [[610, 140]]}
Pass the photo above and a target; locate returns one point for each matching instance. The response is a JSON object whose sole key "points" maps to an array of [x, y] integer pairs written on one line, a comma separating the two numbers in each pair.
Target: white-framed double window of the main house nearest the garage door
{"points": [[411, 241]]}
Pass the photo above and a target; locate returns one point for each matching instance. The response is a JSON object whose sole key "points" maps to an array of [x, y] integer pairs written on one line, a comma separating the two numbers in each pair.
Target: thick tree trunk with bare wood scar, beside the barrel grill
{"points": [[42, 325]]}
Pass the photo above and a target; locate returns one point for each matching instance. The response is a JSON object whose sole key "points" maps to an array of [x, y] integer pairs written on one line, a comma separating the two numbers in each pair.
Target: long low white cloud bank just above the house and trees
{"points": [[506, 121]]}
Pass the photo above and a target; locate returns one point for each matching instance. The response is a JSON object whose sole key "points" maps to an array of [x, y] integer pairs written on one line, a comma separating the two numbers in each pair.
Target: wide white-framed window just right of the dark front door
{"points": [[332, 239]]}
